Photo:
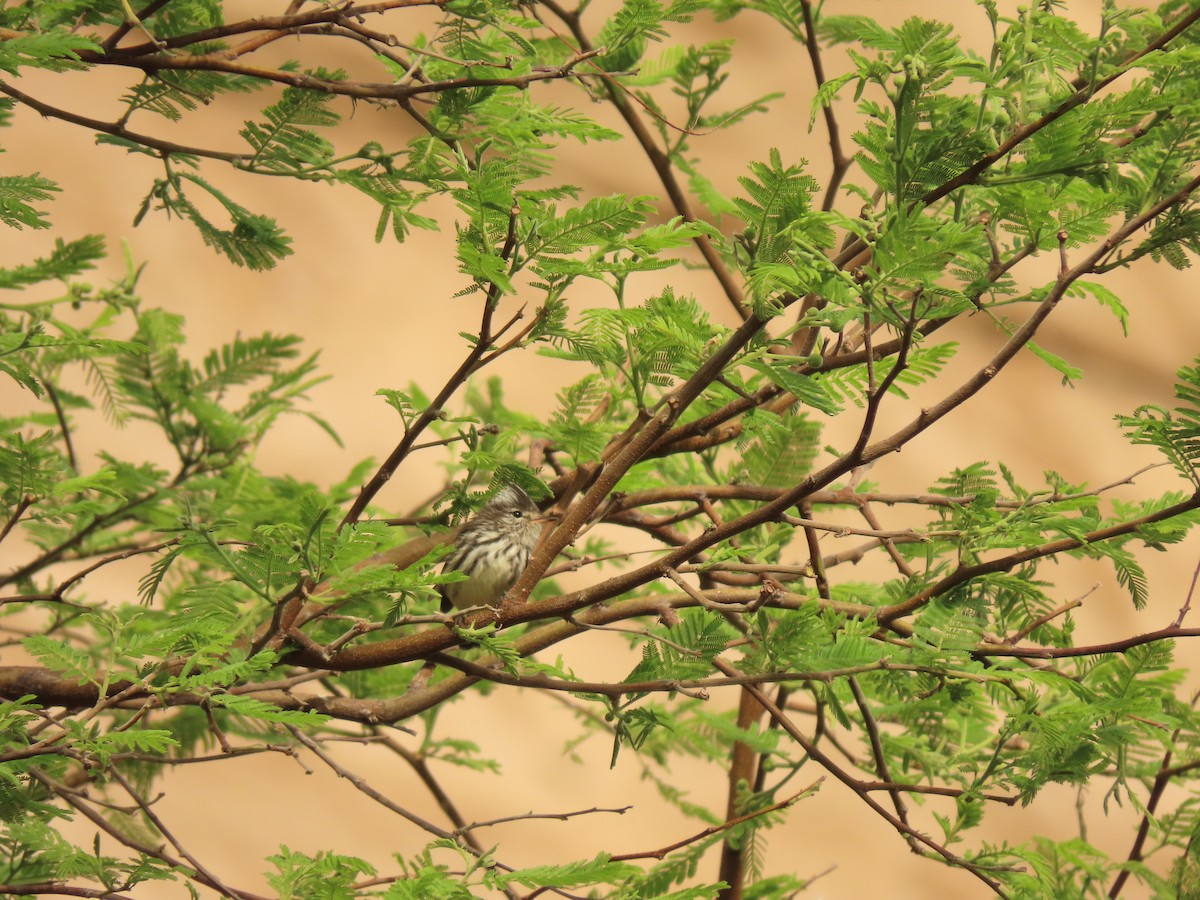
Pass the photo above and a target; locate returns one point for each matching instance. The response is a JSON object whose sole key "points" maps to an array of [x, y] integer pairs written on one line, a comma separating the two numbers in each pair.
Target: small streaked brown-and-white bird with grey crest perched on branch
{"points": [[493, 550]]}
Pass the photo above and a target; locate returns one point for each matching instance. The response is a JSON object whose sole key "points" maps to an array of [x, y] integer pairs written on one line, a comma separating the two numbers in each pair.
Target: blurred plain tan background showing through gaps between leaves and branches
{"points": [[385, 315]]}
